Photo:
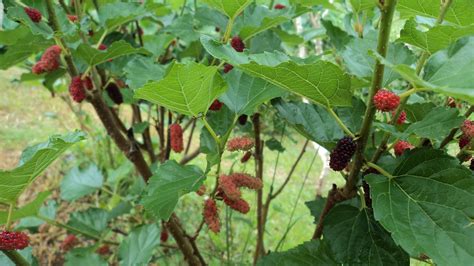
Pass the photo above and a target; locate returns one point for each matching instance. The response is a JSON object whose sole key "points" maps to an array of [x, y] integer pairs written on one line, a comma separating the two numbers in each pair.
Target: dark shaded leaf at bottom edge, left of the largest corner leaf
{"points": [[355, 238]]}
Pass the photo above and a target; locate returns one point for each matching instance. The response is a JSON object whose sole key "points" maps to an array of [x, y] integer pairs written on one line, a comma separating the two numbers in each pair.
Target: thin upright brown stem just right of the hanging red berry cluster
{"points": [[260, 248]]}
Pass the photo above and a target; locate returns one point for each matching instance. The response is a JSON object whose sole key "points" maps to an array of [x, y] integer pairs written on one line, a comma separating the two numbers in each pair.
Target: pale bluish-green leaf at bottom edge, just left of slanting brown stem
{"points": [[138, 247]]}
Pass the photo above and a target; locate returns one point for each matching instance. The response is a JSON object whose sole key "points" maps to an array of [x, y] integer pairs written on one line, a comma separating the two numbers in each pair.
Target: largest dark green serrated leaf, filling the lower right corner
{"points": [[427, 206]]}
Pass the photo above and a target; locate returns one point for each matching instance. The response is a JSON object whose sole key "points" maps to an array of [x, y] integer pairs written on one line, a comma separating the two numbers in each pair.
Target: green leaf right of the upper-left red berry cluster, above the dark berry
{"points": [[93, 56]]}
